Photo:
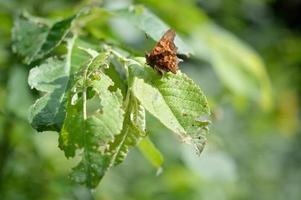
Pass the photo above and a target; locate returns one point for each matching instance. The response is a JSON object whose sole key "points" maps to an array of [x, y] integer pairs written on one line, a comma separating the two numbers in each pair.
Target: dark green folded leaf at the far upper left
{"points": [[33, 38]]}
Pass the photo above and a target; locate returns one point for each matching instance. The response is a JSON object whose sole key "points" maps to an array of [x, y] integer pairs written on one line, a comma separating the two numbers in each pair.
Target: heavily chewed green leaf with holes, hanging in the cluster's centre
{"points": [[104, 116]]}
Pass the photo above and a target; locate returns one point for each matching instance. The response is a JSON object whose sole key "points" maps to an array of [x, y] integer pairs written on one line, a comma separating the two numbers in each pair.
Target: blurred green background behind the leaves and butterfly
{"points": [[247, 61]]}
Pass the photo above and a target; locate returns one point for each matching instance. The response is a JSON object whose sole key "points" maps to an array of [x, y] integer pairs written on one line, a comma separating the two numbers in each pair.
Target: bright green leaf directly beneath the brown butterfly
{"points": [[173, 99]]}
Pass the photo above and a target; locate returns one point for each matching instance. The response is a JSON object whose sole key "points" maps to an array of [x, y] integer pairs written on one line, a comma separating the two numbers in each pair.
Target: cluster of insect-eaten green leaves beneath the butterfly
{"points": [[86, 107]]}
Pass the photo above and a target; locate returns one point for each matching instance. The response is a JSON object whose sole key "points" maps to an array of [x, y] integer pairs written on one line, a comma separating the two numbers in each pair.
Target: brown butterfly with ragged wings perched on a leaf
{"points": [[163, 57]]}
